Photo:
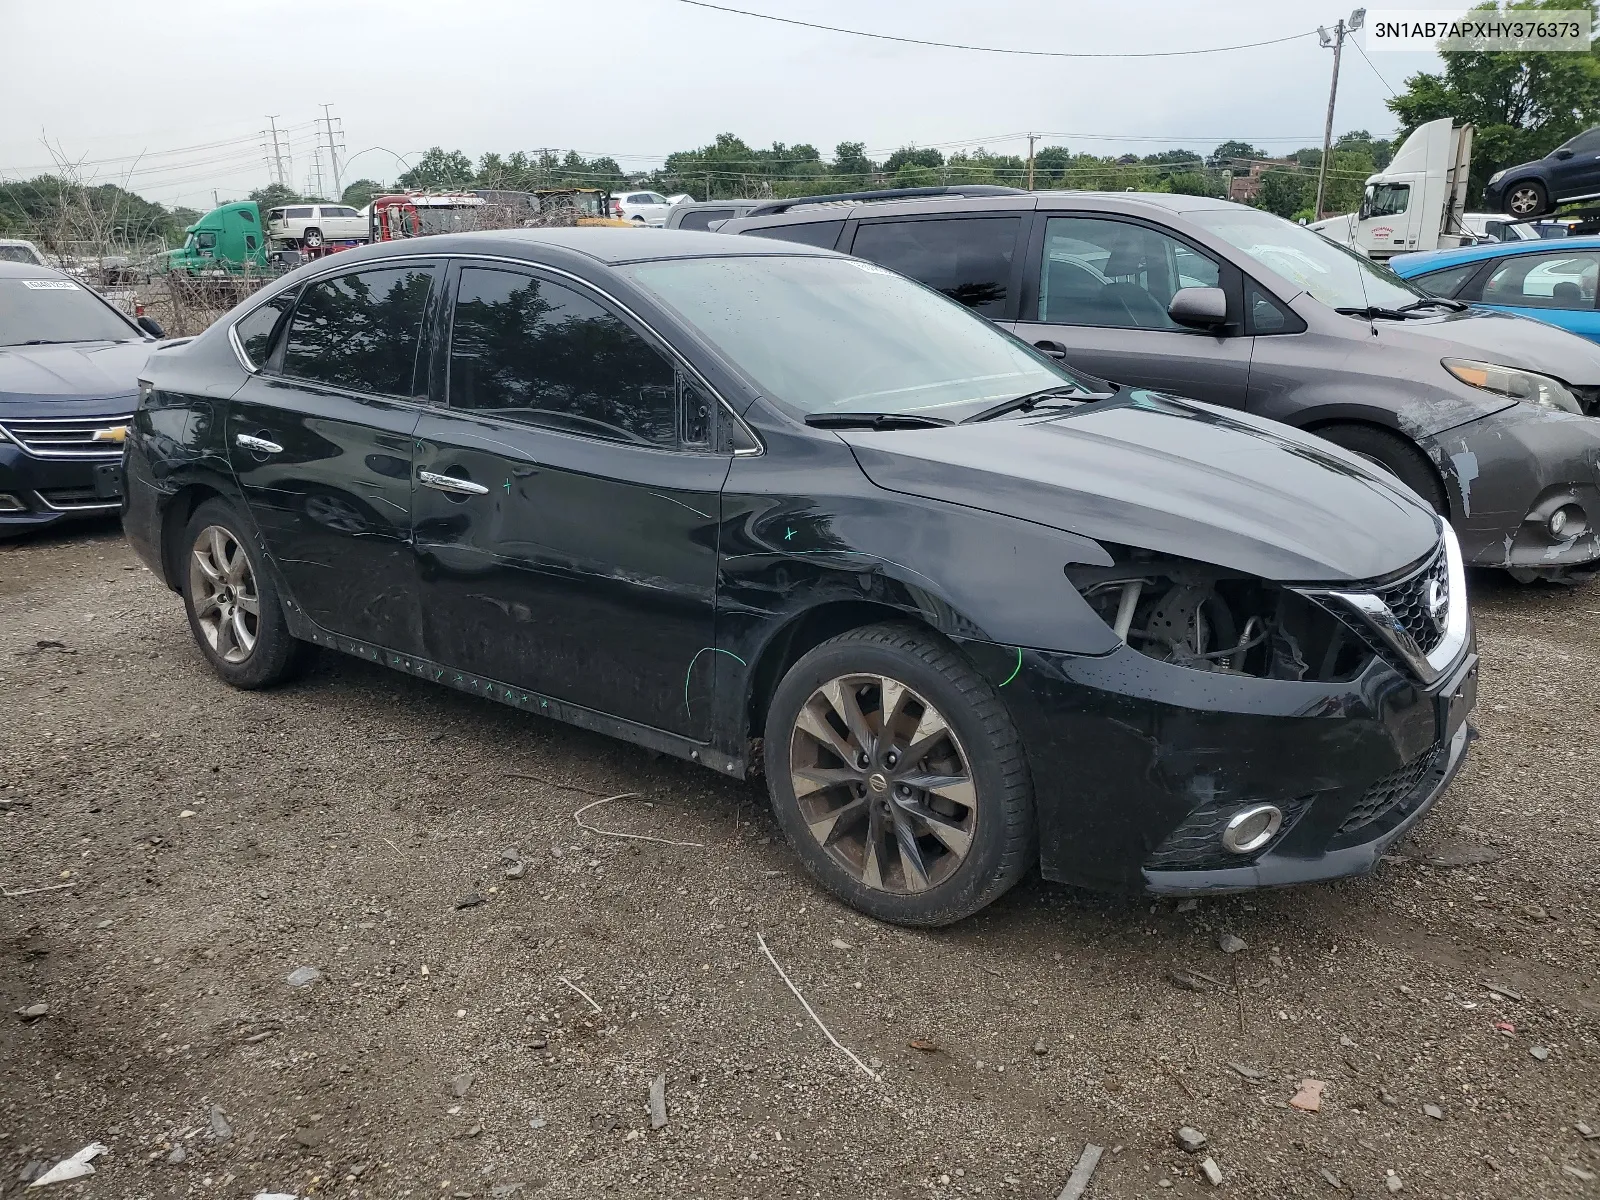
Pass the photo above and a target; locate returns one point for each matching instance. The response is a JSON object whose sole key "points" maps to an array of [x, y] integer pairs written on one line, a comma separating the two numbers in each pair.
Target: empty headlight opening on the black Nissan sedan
{"points": [[1207, 618]]}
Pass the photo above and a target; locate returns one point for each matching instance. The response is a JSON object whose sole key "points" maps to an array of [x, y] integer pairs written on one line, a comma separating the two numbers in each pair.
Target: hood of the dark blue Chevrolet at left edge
{"points": [[39, 380]]}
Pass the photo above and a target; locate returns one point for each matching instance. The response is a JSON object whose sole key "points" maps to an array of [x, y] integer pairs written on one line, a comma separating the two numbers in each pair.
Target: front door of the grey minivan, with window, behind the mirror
{"points": [[1097, 292]]}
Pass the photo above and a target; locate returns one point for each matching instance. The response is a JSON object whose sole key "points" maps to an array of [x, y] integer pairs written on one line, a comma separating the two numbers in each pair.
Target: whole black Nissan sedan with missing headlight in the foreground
{"points": [[769, 508]]}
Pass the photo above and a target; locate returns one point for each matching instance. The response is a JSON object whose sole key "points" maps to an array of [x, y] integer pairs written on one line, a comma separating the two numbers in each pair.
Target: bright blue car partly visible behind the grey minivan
{"points": [[1553, 282]]}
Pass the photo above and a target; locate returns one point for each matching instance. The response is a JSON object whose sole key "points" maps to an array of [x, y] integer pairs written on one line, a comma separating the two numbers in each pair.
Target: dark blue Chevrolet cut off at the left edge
{"points": [[70, 369]]}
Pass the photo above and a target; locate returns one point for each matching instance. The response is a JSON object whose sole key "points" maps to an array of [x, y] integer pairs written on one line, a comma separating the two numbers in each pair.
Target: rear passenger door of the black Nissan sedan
{"points": [[321, 442]]}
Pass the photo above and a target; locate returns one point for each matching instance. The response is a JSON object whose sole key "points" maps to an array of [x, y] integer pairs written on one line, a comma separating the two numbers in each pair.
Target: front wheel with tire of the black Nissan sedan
{"points": [[898, 777]]}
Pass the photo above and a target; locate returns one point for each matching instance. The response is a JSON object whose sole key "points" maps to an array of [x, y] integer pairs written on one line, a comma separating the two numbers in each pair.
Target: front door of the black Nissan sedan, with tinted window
{"points": [[567, 502]]}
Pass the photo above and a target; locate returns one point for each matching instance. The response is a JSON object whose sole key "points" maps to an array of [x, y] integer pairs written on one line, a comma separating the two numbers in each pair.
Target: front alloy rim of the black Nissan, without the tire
{"points": [[882, 783]]}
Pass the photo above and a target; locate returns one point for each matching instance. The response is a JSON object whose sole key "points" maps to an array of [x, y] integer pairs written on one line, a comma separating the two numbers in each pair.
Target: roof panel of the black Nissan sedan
{"points": [[599, 244]]}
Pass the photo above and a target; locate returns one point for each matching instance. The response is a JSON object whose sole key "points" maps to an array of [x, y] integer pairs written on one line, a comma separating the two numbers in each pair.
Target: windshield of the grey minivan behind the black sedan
{"points": [[1338, 278]]}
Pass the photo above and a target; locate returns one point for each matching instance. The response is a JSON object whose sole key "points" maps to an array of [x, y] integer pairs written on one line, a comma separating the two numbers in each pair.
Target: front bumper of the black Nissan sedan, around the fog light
{"points": [[1137, 764]]}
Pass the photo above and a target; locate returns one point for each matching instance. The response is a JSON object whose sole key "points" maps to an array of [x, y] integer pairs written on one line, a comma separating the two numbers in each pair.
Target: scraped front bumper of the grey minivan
{"points": [[1508, 473]]}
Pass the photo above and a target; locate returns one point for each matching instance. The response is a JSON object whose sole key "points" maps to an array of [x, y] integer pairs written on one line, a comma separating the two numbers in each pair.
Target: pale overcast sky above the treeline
{"points": [[172, 98]]}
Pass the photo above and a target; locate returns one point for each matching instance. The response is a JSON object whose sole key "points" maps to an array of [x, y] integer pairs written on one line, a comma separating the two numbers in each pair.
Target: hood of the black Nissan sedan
{"points": [[1175, 478]]}
